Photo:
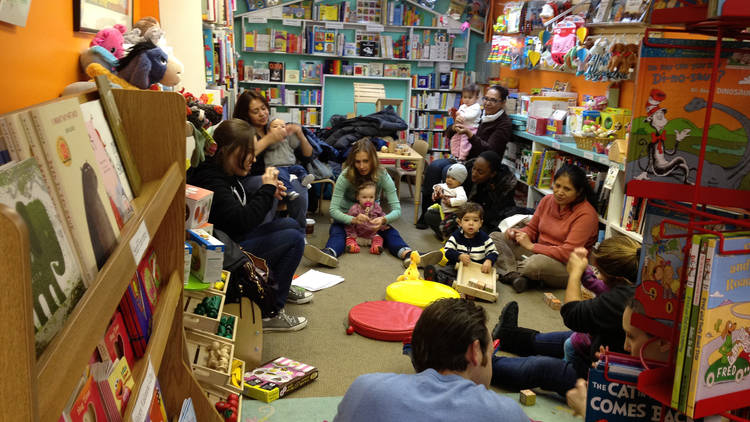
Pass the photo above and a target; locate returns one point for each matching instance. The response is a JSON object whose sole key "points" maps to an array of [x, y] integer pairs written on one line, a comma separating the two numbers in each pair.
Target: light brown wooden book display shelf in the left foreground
{"points": [[39, 388]]}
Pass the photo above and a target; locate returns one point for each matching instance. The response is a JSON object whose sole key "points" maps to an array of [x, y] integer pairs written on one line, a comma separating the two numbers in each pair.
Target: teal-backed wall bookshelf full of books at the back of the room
{"points": [[304, 40]]}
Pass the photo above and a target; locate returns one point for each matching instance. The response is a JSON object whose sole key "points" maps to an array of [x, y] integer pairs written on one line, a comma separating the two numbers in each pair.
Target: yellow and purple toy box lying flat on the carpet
{"points": [[277, 378]]}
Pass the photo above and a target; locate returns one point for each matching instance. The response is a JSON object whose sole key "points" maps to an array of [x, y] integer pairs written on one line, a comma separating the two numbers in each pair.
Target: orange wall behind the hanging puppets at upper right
{"points": [[529, 79]]}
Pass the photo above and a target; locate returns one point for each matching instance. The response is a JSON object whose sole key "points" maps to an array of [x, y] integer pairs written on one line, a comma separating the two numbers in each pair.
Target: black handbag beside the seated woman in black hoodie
{"points": [[249, 276]]}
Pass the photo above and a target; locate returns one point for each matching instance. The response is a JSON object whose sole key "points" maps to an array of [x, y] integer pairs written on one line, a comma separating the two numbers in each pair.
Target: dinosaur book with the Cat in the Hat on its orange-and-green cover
{"points": [[669, 116]]}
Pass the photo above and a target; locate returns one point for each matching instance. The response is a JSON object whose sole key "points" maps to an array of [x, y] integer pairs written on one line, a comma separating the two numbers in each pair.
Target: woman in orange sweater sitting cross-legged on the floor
{"points": [[563, 221]]}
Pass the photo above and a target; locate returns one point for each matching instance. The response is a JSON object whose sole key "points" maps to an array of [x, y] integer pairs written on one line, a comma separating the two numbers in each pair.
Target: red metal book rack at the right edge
{"points": [[690, 201]]}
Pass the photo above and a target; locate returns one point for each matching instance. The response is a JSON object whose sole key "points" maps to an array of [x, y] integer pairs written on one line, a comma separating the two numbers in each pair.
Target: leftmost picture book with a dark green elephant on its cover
{"points": [[56, 281]]}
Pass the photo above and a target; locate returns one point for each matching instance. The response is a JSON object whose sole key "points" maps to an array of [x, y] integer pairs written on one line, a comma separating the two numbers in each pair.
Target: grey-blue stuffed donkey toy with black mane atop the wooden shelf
{"points": [[144, 65]]}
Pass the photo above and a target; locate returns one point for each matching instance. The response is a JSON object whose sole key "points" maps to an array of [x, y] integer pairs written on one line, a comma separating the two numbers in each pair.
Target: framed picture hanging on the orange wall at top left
{"points": [[95, 15]]}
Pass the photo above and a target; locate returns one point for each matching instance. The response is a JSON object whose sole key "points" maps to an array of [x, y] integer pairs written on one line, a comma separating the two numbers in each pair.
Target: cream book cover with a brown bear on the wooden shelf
{"points": [[88, 210]]}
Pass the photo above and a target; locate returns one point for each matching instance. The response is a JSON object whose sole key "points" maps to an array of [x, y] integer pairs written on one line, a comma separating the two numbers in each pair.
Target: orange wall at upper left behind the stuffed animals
{"points": [[40, 59]]}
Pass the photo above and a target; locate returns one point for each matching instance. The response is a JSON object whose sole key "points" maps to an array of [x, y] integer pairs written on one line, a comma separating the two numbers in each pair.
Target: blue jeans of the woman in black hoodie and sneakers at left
{"points": [[280, 243]]}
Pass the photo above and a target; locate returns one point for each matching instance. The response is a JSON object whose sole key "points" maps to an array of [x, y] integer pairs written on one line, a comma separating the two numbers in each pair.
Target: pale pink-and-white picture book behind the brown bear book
{"points": [[114, 178]]}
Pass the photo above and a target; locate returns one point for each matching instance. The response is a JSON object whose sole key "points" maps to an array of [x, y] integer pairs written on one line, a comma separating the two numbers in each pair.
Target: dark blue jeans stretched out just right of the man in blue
{"points": [[545, 369]]}
